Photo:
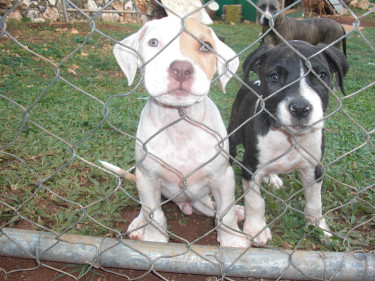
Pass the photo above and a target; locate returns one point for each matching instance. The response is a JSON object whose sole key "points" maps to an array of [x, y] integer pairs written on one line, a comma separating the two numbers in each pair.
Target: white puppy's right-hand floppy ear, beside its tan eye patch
{"points": [[227, 61]]}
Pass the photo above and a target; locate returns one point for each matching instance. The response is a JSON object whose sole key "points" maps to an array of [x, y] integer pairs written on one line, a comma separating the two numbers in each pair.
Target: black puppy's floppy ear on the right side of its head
{"points": [[337, 63]]}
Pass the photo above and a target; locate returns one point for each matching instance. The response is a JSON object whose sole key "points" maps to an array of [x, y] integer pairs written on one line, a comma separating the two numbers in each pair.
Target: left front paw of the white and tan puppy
{"points": [[145, 233]]}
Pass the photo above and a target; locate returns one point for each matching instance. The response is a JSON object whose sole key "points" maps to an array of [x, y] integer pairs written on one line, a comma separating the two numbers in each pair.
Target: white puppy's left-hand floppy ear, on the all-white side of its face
{"points": [[127, 56]]}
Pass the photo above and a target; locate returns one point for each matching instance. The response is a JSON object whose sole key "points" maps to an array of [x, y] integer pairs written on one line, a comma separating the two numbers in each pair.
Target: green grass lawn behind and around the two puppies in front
{"points": [[74, 198]]}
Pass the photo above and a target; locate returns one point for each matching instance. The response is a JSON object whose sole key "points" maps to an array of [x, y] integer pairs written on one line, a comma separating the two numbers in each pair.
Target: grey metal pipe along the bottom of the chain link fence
{"points": [[182, 258]]}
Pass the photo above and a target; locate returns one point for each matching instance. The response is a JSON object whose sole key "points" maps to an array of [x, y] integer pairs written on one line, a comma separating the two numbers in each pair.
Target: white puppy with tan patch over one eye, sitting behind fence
{"points": [[179, 148]]}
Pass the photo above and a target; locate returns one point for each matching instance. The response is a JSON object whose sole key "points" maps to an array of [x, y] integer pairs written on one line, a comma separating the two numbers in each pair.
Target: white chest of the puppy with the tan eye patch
{"points": [[177, 147]]}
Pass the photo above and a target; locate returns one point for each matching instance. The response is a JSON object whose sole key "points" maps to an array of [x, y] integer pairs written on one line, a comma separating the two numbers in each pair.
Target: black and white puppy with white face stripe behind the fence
{"points": [[283, 130]]}
